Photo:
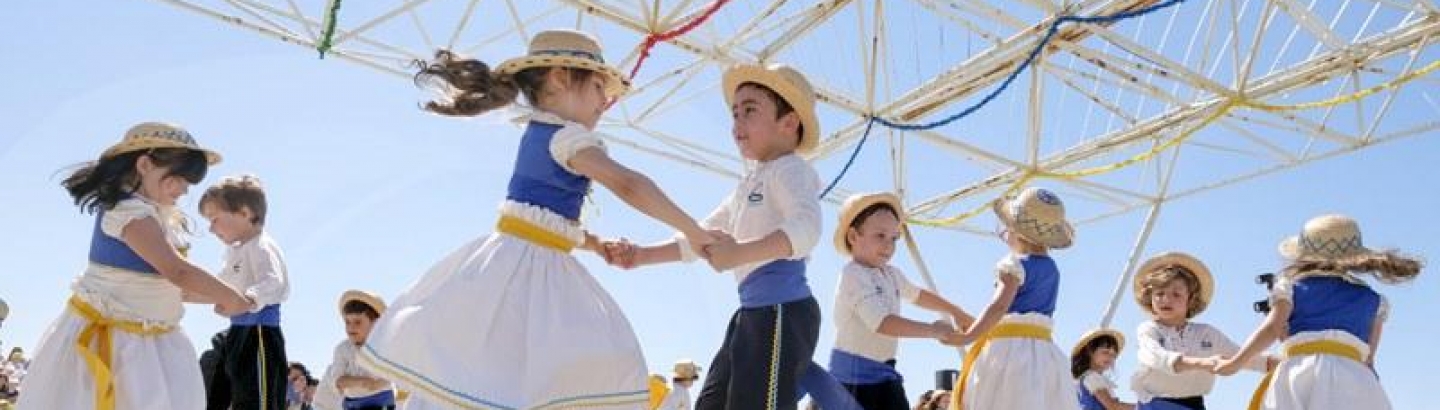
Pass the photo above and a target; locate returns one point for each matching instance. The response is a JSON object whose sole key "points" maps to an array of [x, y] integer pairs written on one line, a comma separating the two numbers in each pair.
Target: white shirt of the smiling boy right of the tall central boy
{"points": [[865, 299]]}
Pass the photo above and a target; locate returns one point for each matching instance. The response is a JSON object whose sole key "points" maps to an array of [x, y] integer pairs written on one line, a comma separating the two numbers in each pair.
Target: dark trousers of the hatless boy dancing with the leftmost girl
{"points": [[253, 370]]}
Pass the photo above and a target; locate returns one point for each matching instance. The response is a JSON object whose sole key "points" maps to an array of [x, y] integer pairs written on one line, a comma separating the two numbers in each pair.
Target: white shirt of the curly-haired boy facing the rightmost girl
{"points": [[1161, 347]]}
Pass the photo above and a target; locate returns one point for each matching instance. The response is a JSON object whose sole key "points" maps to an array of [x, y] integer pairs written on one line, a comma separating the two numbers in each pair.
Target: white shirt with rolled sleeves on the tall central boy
{"points": [[781, 195]]}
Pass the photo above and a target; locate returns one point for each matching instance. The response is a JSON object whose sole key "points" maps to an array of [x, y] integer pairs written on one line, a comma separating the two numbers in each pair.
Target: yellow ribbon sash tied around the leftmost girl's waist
{"points": [[99, 333]]}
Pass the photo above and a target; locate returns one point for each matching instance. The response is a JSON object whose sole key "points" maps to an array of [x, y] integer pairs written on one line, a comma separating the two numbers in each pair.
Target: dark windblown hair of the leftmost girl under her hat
{"points": [[100, 185]]}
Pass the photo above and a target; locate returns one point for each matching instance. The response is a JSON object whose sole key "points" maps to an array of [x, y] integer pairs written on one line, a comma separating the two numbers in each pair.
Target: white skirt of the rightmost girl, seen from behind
{"points": [[1323, 382]]}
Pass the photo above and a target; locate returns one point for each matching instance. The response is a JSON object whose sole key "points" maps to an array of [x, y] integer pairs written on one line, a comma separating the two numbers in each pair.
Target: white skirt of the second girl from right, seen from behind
{"points": [[1022, 373]]}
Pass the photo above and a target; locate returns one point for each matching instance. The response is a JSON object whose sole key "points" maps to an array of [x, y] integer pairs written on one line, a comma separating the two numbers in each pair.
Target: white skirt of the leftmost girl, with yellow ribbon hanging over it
{"points": [[150, 372]]}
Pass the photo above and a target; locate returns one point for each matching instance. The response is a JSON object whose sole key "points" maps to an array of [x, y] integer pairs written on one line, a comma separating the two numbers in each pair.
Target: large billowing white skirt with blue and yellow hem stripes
{"points": [[509, 324]]}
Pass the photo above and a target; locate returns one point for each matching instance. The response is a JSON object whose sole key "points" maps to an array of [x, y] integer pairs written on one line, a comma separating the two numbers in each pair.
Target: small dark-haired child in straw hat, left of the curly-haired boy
{"points": [[1091, 359]]}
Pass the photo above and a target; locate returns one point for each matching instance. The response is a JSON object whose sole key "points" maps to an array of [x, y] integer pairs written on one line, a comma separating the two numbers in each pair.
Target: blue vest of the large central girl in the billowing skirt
{"points": [[539, 181]]}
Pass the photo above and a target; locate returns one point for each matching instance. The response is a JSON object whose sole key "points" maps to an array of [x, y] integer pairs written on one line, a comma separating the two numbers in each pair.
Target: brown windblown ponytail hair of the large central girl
{"points": [[469, 87]]}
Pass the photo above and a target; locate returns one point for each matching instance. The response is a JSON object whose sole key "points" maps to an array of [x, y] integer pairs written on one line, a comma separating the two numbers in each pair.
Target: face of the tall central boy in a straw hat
{"points": [[758, 133]]}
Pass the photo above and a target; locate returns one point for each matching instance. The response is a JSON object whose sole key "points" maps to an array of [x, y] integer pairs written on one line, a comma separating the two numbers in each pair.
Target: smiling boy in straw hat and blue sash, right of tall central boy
{"points": [[868, 304]]}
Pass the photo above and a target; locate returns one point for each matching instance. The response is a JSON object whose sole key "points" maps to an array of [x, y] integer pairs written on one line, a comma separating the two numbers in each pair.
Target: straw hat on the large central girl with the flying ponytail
{"points": [[568, 50]]}
